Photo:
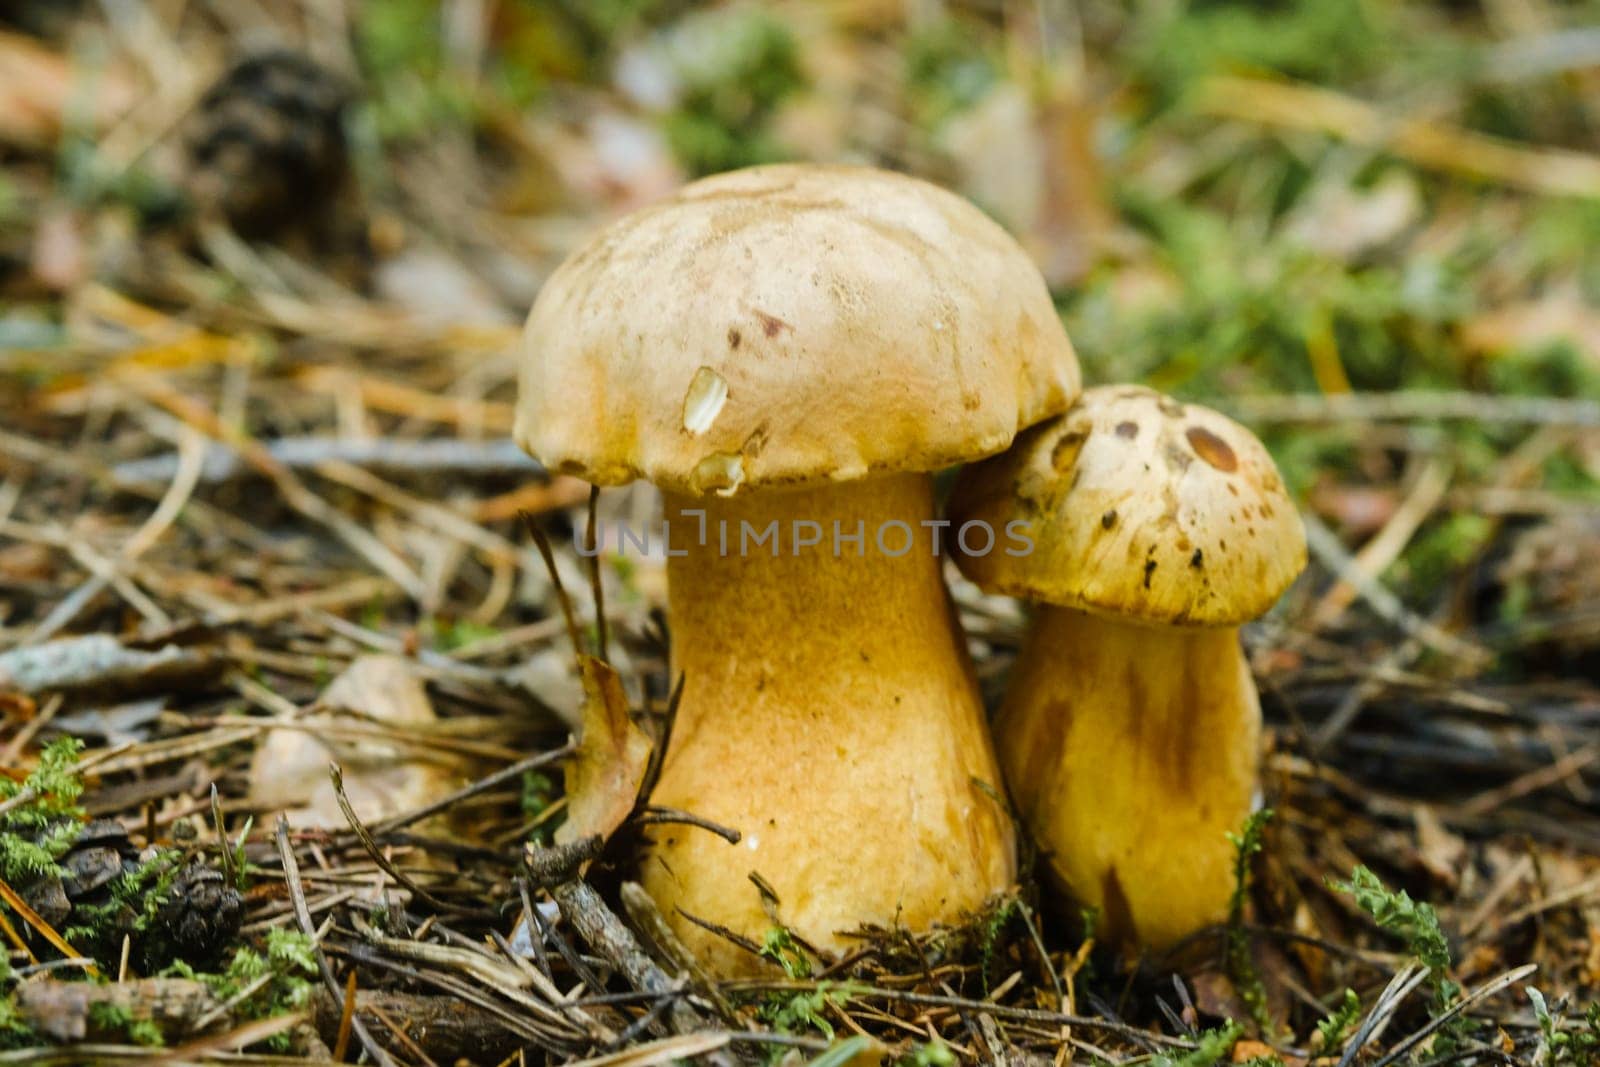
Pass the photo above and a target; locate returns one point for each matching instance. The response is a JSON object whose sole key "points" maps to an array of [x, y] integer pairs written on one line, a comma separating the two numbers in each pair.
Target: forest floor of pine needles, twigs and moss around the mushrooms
{"points": [[260, 514]]}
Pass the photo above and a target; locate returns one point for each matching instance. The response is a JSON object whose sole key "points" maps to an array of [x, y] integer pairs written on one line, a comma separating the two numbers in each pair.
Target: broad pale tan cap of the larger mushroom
{"points": [[790, 326]]}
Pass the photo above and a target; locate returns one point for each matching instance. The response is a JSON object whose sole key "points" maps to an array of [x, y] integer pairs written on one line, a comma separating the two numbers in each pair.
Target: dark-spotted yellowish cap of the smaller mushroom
{"points": [[1140, 508]]}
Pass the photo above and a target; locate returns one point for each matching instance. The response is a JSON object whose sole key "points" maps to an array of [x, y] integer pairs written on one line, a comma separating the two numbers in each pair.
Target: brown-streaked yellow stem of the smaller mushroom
{"points": [[1132, 756]]}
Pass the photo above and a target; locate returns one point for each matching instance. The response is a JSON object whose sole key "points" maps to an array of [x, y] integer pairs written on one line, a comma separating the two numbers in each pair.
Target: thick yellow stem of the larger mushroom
{"points": [[831, 717]]}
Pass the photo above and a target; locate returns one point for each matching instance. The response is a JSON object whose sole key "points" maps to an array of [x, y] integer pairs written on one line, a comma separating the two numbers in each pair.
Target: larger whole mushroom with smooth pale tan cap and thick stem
{"points": [[790, 353]]}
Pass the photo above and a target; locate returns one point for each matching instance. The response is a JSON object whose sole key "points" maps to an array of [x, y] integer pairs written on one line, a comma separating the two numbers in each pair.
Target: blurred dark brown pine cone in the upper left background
{"points": [[270, 146]]}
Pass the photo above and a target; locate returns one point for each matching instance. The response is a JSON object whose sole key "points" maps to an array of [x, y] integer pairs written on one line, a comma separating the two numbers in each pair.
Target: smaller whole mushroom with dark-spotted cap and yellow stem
{"points": [[1130, 730]]}
